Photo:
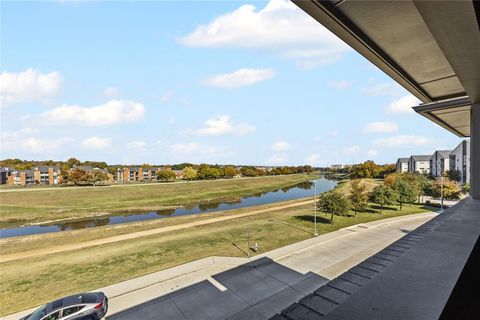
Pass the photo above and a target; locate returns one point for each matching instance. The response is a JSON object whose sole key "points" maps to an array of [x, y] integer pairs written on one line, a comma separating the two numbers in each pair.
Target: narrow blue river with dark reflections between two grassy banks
{"points": [[301, 190]]}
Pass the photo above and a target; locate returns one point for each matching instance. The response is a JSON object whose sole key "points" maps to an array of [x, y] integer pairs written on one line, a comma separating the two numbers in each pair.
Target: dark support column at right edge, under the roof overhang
{"points": [[475, 151]]}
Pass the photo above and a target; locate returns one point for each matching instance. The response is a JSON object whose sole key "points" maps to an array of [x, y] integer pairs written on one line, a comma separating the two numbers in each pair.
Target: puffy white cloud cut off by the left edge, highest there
{"points": [[28, 86]]}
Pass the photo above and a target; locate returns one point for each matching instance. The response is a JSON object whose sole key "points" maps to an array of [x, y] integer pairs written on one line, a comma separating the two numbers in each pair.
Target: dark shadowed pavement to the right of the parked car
{"points": [[253, 291]]}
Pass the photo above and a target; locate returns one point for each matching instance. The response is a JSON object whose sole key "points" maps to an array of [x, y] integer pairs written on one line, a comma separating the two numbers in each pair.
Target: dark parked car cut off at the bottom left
{"points": [[82, 306]]}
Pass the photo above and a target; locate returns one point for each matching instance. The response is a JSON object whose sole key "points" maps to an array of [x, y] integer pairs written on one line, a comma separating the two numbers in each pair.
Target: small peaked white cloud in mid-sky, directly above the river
{"points": [[222, 125]]}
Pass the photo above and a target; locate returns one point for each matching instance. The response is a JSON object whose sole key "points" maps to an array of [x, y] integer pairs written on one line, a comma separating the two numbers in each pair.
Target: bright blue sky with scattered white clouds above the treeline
{"points": [[220, 82]]}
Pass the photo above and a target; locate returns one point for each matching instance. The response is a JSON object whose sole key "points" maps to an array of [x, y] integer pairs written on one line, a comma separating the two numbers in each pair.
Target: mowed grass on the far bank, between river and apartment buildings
{"points": [[46, 204]]}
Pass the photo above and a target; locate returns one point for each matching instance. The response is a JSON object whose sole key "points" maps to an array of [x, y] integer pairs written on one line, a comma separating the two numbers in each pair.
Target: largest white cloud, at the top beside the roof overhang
{"points": [[280, 28]]}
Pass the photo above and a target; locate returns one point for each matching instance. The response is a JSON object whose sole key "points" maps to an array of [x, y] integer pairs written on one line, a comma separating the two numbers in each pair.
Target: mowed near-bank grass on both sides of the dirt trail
{"points": [[29, 282]]}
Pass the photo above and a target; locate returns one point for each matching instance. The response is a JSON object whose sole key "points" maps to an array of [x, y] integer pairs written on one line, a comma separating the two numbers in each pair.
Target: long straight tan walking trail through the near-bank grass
{"points": [[134, 235]]}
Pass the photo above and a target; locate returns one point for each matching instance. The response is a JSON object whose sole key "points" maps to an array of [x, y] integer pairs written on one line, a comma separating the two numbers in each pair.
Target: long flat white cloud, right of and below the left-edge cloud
{"points": [[111, 112]]}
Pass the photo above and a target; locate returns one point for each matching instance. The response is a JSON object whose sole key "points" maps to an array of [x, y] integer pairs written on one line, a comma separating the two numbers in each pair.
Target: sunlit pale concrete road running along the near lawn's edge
{"points": [[323, 257]]}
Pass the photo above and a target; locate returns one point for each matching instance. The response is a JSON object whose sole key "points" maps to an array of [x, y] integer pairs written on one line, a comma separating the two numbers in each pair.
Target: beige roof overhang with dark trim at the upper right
{"points": [[431, 48]]}
